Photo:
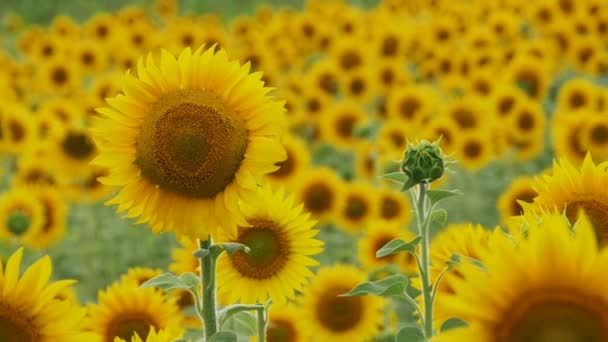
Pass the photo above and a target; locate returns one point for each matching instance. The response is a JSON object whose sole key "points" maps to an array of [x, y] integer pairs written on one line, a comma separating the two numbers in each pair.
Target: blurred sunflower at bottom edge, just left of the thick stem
{"points": [[124, 310]]}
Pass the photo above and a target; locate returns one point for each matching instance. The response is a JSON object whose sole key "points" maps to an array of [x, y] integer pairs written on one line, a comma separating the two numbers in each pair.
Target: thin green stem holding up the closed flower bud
{"points": [[423, 230]]}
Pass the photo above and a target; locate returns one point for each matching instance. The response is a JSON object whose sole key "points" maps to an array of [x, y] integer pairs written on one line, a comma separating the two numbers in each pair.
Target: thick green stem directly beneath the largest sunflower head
{"points": [[208, 278]]}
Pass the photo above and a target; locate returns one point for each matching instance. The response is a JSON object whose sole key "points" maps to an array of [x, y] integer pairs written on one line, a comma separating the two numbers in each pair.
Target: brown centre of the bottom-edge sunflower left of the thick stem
{"points": [[126, 325]]}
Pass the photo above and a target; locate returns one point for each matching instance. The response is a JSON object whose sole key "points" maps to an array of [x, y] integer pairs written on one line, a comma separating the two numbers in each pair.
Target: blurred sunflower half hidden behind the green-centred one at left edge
{"points": [[55, 213]]}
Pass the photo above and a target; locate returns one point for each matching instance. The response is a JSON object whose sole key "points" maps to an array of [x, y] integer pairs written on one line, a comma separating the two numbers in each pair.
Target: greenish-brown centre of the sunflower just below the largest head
{"points": [[269, 250]]}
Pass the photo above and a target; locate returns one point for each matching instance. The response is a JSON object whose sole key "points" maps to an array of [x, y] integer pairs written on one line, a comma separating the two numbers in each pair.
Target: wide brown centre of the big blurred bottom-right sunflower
{"points": [[553, 316]]}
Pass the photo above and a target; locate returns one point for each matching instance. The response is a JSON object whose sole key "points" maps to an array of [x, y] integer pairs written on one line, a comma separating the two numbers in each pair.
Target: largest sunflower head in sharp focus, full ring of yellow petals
{"points": [[187, 140]]}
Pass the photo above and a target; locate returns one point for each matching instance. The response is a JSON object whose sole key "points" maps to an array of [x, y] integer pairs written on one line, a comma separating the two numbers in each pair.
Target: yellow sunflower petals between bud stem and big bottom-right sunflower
{"points": [[465, 239]]}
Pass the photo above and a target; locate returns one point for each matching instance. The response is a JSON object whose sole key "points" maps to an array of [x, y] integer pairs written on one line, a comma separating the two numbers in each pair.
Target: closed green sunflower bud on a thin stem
{"points": [[423, 163]]}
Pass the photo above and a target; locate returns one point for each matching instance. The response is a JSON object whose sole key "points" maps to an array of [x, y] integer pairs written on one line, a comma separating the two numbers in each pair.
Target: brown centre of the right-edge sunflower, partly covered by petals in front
{"points": [[597, 213]]}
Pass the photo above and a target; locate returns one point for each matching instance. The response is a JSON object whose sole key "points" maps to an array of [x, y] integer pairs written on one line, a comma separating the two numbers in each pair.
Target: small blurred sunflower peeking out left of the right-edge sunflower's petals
{"points": [[520, 189]]}
